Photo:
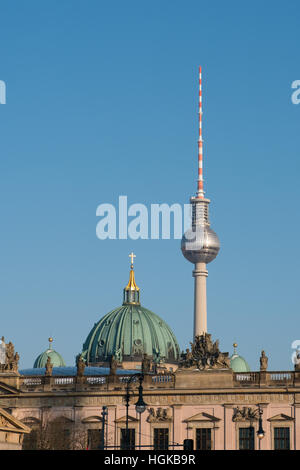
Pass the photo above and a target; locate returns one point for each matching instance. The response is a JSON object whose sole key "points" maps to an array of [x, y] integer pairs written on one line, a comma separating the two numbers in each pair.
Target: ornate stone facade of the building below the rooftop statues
{"points": [[214, 407]]}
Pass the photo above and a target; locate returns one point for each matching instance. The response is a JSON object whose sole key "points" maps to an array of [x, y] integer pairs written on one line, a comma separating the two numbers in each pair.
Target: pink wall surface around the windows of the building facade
{"points": [[223, 436]]}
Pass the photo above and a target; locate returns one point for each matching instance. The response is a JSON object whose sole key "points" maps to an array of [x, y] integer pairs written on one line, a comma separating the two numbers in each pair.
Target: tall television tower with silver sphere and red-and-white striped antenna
{"points": [[200, 244]]}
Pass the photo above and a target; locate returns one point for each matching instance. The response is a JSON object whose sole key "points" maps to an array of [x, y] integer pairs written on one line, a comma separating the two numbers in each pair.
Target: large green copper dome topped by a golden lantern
{"points": [[130, 331]]}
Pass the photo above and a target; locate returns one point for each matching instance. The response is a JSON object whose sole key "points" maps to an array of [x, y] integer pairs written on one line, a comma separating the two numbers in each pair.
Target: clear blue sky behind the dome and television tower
{"points": [[102, 102]]}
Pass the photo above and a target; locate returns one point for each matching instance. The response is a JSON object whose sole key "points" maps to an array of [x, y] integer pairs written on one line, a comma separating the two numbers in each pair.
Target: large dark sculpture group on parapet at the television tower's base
{"points": [[205, 355]]}
